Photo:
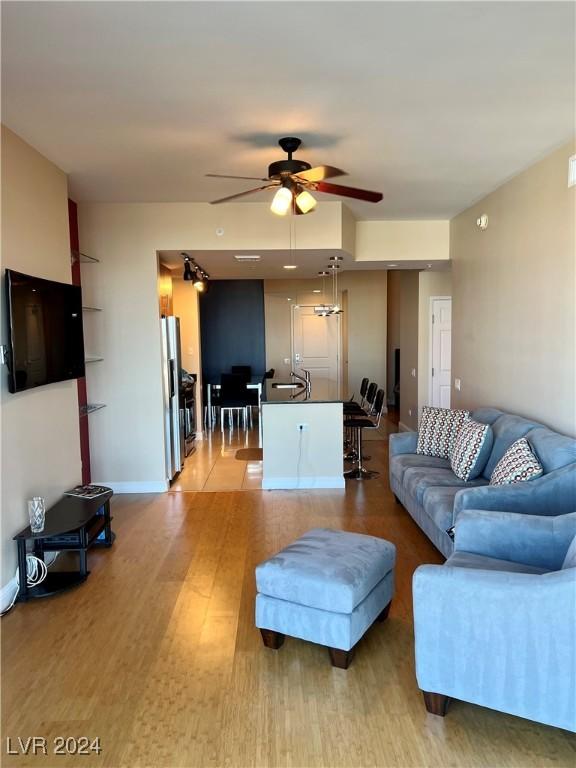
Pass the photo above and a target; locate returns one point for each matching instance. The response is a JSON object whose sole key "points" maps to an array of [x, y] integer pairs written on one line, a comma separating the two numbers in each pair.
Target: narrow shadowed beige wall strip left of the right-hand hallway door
{"points": [[409, 349]]}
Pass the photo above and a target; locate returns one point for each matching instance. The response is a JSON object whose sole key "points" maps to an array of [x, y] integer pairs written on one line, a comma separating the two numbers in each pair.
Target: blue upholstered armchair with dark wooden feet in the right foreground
{"points": [[496, 624]]}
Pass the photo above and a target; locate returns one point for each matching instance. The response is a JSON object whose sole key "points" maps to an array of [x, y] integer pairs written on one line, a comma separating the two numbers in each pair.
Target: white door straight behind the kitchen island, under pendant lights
{"points": [[316, 344]]}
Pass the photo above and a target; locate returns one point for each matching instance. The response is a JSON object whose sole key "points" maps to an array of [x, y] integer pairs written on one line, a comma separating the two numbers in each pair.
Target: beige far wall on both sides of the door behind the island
{"points": [[365, 319]]}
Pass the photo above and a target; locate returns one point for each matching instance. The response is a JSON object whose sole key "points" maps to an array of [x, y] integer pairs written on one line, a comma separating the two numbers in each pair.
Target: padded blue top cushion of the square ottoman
{"points": [[328, 569]]}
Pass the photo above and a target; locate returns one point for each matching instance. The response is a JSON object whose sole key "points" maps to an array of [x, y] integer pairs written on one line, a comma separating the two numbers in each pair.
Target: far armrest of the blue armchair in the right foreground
{"points": [[532, 539]]}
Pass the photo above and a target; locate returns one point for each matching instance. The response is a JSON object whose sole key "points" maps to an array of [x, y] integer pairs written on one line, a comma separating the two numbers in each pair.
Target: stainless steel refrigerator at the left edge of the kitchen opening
{"points": [[173, 421]]}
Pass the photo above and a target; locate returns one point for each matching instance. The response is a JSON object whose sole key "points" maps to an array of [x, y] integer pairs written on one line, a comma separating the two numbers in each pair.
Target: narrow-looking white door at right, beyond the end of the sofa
{"points": [[440, 351]]}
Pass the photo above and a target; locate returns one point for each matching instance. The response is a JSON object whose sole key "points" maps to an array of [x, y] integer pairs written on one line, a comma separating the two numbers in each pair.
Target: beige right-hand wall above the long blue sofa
{"points": [[513, 289]]}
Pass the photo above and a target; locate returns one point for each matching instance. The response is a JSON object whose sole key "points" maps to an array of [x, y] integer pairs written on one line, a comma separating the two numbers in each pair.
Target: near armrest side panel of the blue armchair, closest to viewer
{"points": [[502, 640]]}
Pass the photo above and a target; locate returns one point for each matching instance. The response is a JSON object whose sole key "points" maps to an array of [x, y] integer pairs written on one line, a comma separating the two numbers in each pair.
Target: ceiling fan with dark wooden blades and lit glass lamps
{"points": [[294, 180]]}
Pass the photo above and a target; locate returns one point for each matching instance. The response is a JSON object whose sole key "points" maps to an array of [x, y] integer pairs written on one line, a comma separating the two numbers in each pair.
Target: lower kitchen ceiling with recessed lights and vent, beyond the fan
{"points": [[221, 265]]}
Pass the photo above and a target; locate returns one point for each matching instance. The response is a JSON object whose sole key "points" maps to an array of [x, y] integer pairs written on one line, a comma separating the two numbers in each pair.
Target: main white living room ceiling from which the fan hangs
{"points": [[434, 104]]}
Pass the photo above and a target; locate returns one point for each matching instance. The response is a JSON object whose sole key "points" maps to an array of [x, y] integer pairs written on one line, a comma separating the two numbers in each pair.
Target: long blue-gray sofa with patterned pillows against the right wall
{"points": [[434, 496]]}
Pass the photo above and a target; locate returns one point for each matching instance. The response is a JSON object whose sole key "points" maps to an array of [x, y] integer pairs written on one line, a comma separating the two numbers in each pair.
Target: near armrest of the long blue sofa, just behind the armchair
{"points": [[552, 494]]}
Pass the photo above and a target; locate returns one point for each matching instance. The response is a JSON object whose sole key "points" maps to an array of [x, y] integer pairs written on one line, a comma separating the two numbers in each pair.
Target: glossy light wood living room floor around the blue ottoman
{"points": [[157, 653]]}
